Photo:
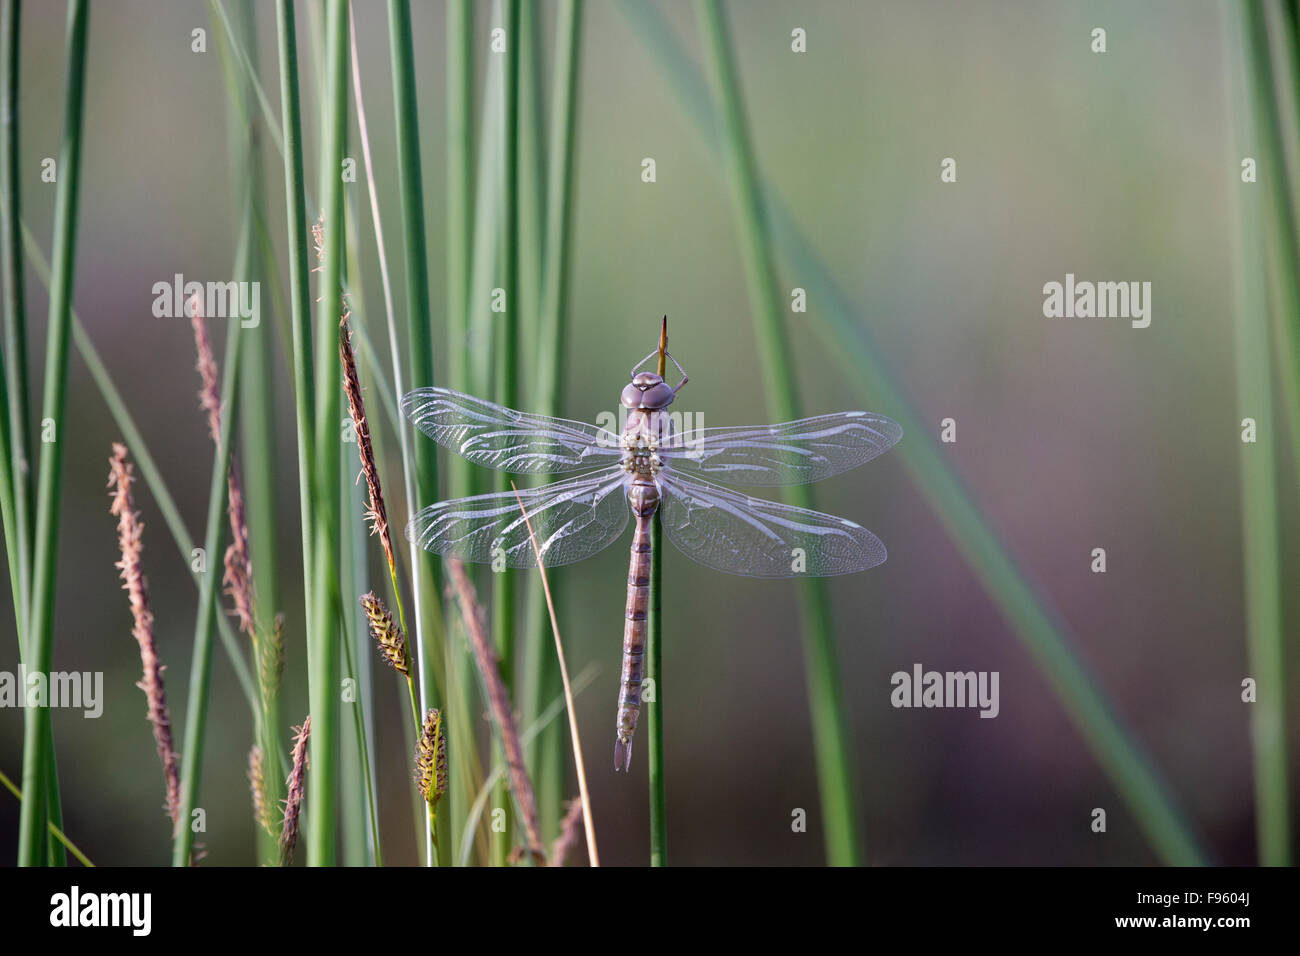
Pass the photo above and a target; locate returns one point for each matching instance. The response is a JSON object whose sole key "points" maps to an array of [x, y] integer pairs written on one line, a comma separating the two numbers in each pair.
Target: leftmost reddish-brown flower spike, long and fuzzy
{"points": [[131, 542]]}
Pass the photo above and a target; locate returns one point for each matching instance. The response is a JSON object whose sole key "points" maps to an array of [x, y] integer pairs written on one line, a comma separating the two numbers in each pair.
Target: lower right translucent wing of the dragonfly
{"points": [[733, 533]]}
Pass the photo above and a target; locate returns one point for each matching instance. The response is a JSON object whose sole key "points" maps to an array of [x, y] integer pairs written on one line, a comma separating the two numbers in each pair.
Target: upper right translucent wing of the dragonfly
{"points": [[787, 455]]}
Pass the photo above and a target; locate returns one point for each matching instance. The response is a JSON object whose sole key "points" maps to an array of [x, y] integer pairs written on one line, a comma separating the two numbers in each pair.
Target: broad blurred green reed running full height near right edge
{"points": [[1266, 256]]}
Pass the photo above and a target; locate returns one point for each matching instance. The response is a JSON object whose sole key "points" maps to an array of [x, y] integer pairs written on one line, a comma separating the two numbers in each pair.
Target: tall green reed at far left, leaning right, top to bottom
{"points": [[38, 752]]}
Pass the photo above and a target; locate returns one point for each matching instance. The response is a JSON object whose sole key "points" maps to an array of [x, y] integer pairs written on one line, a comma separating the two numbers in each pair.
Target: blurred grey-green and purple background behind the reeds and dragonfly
{"points": [[1072, 434]]}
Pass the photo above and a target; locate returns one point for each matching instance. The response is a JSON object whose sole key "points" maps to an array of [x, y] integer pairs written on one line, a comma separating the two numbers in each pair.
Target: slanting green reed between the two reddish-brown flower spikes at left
{"points": [[210, 609]]}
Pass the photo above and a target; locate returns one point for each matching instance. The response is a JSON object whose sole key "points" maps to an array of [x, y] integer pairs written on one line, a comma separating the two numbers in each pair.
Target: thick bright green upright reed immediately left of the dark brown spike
{"points": [[323, 646]]}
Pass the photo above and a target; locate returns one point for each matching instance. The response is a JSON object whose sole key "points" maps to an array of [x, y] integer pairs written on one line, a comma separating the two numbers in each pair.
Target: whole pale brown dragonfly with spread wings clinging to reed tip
{"points": [[649, 468]]}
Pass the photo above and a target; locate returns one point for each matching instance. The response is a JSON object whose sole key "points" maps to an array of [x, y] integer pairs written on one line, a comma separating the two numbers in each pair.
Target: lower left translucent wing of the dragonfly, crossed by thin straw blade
{"points": [[571, 520]]}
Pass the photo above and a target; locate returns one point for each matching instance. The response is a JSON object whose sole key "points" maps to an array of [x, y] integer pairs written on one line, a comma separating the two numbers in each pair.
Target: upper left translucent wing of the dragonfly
{"points": [[499, 438]]}
